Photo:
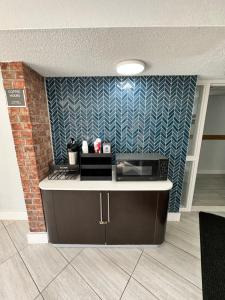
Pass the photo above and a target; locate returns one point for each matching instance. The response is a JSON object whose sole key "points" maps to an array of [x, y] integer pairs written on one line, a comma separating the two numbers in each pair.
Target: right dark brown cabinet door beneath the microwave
{"points": [[132, 217]]}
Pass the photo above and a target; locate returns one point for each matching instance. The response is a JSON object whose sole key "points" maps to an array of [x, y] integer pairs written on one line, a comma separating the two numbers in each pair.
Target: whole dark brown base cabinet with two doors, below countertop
{"points": [[115, 217]]}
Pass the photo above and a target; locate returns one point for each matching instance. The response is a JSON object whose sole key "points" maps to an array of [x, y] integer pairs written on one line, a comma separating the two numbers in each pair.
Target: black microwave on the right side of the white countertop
{"points": [[141, 167]]}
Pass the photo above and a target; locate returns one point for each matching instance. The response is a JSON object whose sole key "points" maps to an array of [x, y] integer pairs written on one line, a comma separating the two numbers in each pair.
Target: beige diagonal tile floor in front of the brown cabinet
{"points": [[171, 271]]}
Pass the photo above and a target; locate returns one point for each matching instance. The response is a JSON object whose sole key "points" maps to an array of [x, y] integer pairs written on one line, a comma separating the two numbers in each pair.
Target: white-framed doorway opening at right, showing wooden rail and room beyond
{"points": [[209, 191]]}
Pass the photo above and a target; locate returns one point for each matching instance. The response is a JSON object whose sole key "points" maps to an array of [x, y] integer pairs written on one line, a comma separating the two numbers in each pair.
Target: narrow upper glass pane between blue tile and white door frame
{"points": [[195, 116]]}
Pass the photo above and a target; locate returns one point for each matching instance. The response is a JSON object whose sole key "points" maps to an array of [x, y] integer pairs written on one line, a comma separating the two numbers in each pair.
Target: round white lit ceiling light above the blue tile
{"points": [[130, 67]]}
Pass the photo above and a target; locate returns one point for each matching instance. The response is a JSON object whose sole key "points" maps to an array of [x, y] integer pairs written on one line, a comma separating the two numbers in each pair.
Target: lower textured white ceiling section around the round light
{"points": [[95, 52]]}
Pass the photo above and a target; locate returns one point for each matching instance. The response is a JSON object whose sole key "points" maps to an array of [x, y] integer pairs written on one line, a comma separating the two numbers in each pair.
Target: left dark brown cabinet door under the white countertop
{"points": [[77, 216]]}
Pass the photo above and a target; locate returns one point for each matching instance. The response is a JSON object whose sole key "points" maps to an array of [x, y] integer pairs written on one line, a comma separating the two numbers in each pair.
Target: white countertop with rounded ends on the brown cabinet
{"points": [[77, 184]]}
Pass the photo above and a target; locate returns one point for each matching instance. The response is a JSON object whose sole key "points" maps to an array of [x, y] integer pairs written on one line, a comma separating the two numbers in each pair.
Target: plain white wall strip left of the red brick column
{"points": [[12, 204]]}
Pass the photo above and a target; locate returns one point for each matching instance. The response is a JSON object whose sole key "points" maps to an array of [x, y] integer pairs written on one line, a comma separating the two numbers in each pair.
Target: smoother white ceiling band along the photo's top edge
{"points": [[49, 14]]}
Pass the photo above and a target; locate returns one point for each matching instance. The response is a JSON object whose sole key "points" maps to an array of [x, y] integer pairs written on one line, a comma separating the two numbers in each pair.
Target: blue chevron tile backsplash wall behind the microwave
{"points": [[135, 114]]}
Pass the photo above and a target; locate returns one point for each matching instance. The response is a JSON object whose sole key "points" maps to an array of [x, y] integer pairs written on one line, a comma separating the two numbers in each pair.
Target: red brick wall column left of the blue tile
{"points": [[31, 133]]}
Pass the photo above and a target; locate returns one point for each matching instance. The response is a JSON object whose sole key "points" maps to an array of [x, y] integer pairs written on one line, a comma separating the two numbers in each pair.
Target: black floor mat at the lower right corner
{"points": [[212, 237]]}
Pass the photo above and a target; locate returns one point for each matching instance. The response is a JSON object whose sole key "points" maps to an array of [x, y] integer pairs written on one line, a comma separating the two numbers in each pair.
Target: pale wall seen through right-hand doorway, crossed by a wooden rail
{"points": [[212, 156]]}
